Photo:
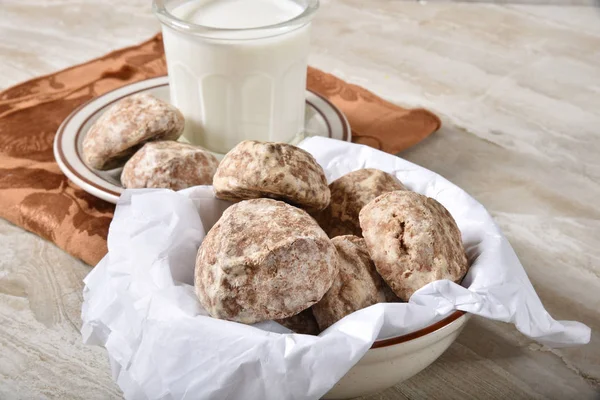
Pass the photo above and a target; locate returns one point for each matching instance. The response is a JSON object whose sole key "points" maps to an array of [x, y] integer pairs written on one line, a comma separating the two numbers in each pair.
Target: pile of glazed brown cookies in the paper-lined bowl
{"points": [[295, 250]]}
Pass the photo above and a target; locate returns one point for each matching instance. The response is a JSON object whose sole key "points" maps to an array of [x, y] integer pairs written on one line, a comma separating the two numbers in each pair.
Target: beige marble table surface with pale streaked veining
{"points": [[518, 89]]}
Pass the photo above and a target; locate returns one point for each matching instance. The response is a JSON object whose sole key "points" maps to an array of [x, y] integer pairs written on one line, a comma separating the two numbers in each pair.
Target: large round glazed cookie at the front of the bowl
{"points": [[263, 260]]}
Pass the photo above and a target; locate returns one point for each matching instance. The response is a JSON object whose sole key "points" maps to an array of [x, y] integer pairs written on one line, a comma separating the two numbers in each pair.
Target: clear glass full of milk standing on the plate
{"points": [[237, 68]]}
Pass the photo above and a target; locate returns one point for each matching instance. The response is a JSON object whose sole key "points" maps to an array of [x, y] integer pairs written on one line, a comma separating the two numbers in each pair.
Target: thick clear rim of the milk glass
{"points": [[168, 19]]}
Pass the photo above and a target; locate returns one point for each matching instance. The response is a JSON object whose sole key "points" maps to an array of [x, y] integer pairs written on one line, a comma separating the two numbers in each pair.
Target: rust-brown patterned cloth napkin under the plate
{"points": [[35, 195]]}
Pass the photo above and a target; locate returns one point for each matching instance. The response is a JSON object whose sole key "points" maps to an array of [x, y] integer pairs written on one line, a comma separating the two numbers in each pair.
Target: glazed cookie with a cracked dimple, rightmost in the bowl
{"points": [[413, 240]]}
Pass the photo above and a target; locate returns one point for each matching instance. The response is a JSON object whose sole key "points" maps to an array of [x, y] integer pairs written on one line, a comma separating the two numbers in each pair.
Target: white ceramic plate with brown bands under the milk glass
{"points": [[322, 119]]}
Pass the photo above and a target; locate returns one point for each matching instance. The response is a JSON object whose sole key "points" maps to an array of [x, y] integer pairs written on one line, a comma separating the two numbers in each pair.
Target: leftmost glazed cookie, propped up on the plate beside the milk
{"points": [[126, 126]]}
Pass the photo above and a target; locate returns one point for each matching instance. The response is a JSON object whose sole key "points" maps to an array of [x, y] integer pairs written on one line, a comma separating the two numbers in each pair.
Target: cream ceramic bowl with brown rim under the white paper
{"points": [[394, 360]]}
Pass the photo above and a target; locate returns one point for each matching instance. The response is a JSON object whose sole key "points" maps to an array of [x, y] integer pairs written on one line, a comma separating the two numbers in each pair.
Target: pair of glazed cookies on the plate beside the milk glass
{"points": [[139, 134]]}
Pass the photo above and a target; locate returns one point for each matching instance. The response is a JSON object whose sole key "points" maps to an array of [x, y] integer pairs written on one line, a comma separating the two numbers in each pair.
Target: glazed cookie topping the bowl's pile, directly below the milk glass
{"points": [[276, 170]]}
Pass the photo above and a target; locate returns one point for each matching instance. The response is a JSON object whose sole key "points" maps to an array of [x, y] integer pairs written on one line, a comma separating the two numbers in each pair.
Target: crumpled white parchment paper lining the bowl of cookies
{"points": [[139, 301]]}
